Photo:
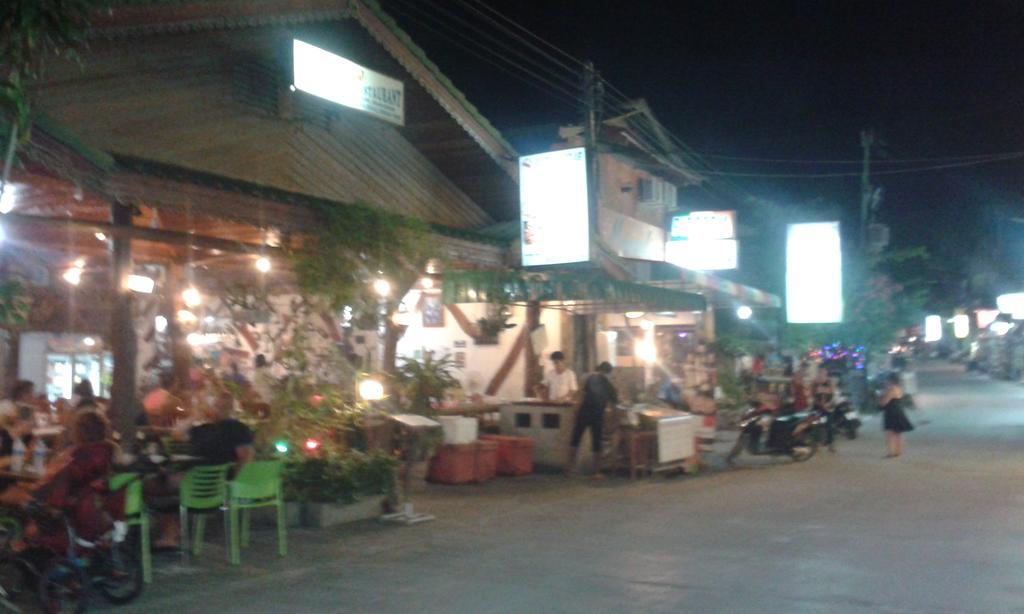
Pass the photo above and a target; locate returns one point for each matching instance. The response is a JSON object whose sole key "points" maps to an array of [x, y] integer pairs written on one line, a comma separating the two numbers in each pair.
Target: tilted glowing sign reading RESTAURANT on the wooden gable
{"points": [[339, 80]]}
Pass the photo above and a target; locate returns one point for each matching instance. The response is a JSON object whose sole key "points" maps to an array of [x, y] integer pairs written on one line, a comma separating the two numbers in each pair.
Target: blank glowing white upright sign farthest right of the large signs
{"points": [[814, 274]]}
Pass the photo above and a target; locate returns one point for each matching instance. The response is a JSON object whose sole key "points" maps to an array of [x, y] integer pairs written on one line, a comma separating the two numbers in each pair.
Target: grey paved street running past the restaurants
{"points": [[940, 531]]}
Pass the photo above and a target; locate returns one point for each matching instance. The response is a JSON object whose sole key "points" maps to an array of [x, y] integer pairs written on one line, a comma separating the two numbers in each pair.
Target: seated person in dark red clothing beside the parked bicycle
{"points": [[71, 474]]}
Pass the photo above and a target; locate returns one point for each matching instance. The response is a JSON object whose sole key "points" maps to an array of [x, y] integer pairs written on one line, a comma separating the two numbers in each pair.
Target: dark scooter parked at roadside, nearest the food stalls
{"points": [[796, 435]]}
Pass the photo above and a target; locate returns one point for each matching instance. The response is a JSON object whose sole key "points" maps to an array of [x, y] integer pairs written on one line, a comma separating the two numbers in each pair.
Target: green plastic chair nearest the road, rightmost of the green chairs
{"points": [[258, 486]]}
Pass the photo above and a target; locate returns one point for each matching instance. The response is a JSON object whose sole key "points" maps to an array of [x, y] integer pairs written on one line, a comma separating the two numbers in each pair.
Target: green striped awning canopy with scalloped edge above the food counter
{"points": [[586, 292]]}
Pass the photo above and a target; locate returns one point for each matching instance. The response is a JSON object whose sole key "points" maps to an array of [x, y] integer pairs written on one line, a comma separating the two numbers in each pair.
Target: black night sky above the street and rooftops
{"points": [[787, 80]]}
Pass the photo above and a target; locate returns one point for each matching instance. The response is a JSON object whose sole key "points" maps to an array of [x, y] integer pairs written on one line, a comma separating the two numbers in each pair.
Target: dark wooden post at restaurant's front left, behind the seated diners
{"points": [[123, 340]]}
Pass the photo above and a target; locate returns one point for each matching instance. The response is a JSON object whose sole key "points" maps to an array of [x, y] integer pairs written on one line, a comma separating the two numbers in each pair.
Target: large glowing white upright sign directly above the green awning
{"points": [[554, 208]]}
